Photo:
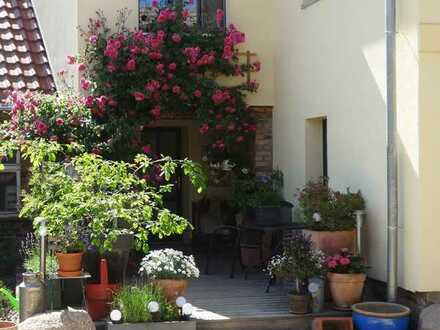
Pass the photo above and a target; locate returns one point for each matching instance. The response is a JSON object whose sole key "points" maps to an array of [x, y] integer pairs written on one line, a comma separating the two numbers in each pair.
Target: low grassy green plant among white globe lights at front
{"points": [[133, 302]]}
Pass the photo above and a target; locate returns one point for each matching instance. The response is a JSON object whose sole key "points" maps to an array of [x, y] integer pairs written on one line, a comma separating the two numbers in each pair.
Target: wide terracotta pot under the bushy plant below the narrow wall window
{"points": [[331, 242]]}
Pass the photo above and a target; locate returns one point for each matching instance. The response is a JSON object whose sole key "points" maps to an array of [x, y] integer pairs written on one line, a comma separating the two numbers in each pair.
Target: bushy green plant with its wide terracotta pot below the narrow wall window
{"points": [[330, 216]]}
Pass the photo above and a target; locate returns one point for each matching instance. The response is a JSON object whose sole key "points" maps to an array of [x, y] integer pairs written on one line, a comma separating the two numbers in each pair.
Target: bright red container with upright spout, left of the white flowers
{"points": [[100, 296]]}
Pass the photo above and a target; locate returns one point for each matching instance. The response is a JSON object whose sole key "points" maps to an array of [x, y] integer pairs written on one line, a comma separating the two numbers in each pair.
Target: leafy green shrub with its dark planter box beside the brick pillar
{"points": [[260, 199]]}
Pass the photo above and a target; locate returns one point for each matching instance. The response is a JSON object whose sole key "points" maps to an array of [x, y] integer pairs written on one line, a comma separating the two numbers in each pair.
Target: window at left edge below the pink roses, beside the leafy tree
{"points": [[10, 182]]}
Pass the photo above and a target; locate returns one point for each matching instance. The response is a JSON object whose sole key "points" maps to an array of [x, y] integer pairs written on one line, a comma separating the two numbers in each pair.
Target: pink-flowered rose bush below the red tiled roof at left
{"points": [[58, 118]]}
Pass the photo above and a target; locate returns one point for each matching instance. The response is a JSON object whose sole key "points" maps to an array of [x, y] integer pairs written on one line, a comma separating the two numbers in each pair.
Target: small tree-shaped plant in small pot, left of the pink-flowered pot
{"points": [[299, 263]]}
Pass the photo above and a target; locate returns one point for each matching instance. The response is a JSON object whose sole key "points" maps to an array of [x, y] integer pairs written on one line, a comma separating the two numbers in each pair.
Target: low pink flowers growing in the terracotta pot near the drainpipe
{"points": [[346, 263]]}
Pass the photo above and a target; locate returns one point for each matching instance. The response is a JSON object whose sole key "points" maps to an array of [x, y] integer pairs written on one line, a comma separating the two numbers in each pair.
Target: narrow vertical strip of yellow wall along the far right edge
{"points": [[429, 60]]}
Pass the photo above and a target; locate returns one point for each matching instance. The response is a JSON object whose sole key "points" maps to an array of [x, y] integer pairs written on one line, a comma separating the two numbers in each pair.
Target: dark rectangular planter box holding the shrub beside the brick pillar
{"points": [[270, 215]]}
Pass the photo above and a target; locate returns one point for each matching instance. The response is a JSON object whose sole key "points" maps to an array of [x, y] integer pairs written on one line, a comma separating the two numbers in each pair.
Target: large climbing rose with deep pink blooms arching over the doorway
{"points": [[132, 78]]}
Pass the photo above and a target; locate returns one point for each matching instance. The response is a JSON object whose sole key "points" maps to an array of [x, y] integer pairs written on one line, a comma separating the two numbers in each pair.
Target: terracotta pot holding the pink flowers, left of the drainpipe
{"points": [[346, 289]]}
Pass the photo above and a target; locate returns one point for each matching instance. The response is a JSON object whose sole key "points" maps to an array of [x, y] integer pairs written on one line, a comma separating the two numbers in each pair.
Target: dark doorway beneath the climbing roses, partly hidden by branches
{"points": [[167, 141]]}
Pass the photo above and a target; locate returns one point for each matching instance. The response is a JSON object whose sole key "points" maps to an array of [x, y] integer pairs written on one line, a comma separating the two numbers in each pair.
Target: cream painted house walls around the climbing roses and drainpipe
{"points": [[329, 61]]}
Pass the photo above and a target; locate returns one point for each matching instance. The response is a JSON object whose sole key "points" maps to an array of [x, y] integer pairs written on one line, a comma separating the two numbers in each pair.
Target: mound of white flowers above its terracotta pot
{"points": [[168, 264]]}
